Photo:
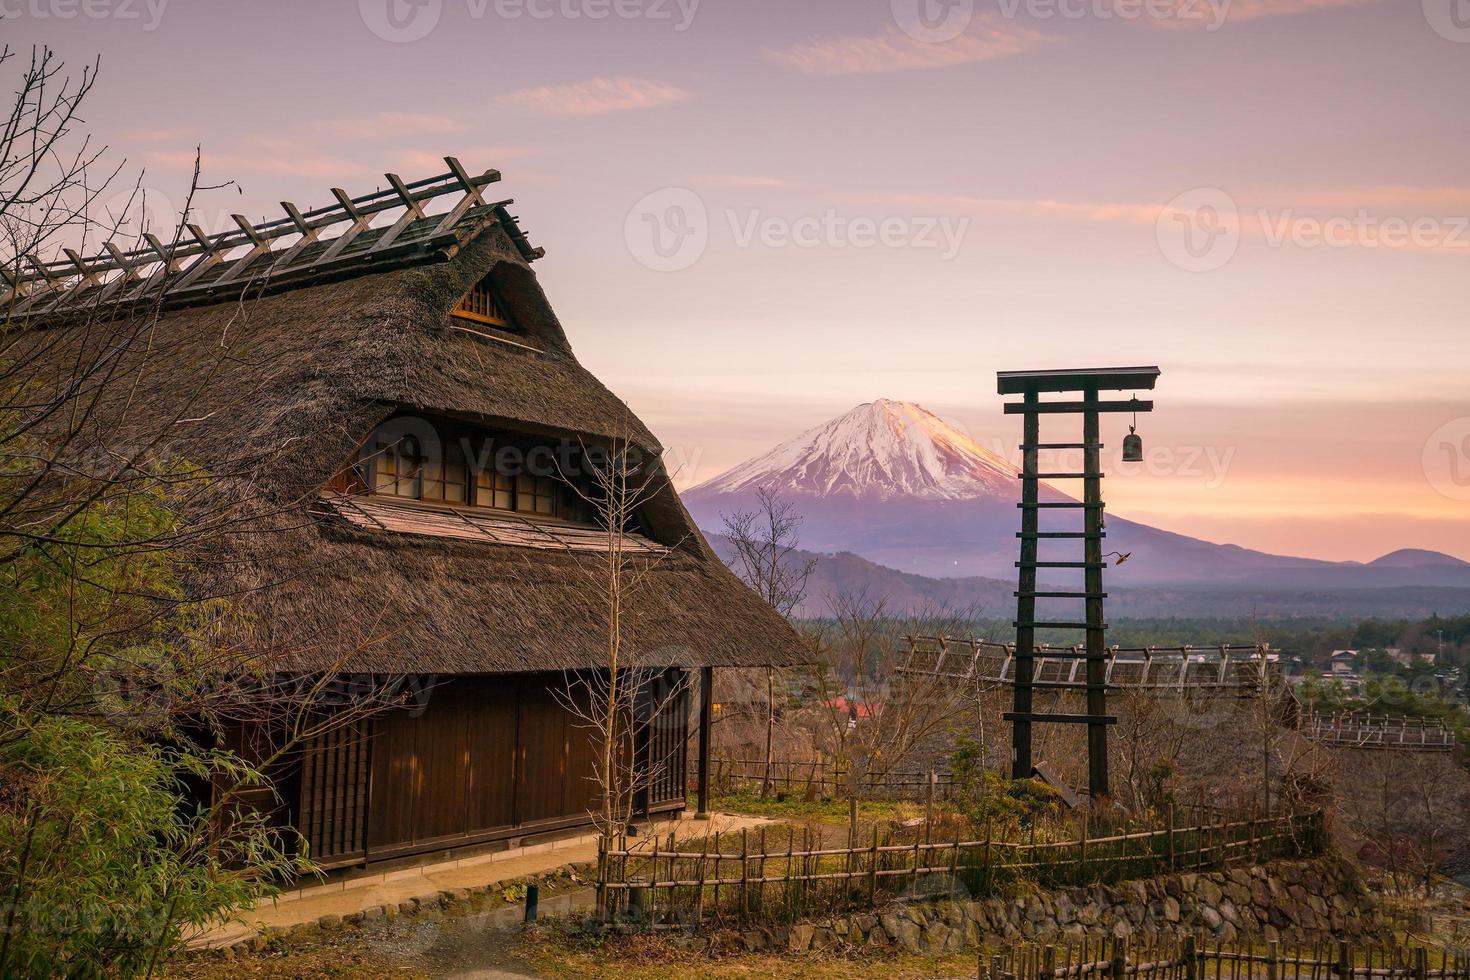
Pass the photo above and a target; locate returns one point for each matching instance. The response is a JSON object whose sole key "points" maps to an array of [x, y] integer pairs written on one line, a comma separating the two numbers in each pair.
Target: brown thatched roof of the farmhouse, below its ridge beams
{"points": [[273, 387]]}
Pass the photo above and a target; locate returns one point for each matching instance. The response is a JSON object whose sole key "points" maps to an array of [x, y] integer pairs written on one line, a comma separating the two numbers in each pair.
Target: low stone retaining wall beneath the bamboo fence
{"points": [[1293, 901]]}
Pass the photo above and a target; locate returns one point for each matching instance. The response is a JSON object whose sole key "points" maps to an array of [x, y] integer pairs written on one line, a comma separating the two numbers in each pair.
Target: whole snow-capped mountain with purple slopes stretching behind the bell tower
{"points": [[896, 484]]}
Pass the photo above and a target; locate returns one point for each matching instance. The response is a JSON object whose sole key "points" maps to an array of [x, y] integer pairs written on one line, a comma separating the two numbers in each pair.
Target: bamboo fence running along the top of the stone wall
{"points": [[736, 876]]}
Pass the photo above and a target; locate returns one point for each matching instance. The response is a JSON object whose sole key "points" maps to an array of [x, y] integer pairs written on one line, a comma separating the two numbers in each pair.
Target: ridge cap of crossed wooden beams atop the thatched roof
{"points": [[198, 268]]}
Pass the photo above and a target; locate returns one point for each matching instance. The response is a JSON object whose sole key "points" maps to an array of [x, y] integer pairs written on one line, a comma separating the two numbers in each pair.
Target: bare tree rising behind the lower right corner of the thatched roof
{"points": [[767, 543]]}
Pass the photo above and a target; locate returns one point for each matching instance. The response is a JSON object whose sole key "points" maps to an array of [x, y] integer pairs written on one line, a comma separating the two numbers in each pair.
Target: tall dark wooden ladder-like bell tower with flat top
{"points": [[1086, 387]]}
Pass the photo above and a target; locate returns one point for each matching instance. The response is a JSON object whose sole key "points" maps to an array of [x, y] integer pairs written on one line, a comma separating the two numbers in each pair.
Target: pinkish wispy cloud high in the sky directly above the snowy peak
{"points": [[896, 52]]}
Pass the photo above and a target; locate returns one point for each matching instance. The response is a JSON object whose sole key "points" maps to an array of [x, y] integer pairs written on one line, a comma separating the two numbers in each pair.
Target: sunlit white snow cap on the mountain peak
{"points": [[878, 450]]}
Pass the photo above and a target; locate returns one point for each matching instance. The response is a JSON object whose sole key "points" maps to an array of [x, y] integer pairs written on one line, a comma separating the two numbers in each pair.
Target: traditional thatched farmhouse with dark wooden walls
{"points": [[405, 408]]}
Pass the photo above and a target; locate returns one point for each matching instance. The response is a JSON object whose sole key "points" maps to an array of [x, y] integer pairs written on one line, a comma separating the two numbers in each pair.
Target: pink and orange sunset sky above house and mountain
{"points": [[759, 214]]}
